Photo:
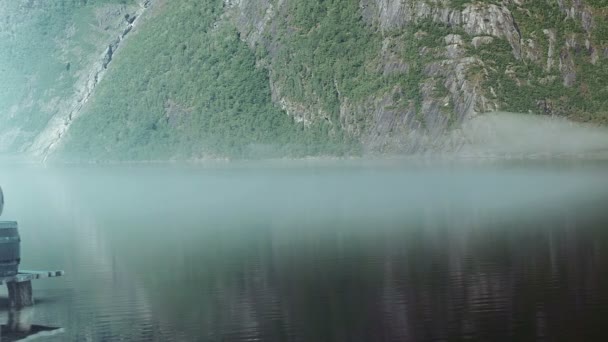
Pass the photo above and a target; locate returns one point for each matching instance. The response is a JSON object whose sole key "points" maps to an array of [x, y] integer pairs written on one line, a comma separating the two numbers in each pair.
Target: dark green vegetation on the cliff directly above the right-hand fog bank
{"points": [[532, 85]]}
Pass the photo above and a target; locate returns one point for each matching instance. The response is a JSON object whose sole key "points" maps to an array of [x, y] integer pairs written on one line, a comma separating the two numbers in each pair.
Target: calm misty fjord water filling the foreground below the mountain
{"points": [[332, 251]]}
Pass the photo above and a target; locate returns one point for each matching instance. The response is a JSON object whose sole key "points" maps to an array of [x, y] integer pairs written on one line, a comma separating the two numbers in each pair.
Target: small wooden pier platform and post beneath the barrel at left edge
{"points": [[20, 286]]}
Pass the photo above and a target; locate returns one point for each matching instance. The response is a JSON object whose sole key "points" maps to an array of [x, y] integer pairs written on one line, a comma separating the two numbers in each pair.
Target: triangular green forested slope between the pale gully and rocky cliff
{"points": [[187, 86]]}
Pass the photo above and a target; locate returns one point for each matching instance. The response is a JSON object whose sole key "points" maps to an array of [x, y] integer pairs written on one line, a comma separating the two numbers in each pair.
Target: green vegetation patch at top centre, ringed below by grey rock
{"points": [[326, 52]]}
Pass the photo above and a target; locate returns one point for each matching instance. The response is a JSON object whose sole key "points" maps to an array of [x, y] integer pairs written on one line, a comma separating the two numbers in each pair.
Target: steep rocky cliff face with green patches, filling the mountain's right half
{"points": [[440, 62]]}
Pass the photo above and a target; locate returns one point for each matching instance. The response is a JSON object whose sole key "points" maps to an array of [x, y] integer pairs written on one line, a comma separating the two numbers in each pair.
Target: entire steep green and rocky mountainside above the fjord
{"points": [[189, 79]]}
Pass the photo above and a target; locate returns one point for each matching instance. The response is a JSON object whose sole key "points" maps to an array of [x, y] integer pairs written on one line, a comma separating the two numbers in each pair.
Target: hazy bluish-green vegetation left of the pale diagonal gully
{"points": [[44, 46]]}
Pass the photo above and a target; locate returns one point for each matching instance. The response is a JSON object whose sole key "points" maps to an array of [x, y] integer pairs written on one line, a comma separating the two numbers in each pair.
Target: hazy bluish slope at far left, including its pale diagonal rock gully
{"points": [[53, 55]]}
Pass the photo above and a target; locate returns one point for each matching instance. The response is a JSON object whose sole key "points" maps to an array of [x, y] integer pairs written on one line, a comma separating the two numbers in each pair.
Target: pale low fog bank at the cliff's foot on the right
{"points": [[504, 134]]}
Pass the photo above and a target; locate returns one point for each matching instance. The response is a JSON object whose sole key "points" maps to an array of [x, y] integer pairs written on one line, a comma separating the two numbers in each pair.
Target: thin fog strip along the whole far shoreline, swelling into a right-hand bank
{"points": [[492, 135]]}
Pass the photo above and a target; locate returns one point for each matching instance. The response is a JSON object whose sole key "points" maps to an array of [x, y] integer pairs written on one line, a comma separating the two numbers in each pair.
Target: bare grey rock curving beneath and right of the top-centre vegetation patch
{"points": [[383, 121]]}
